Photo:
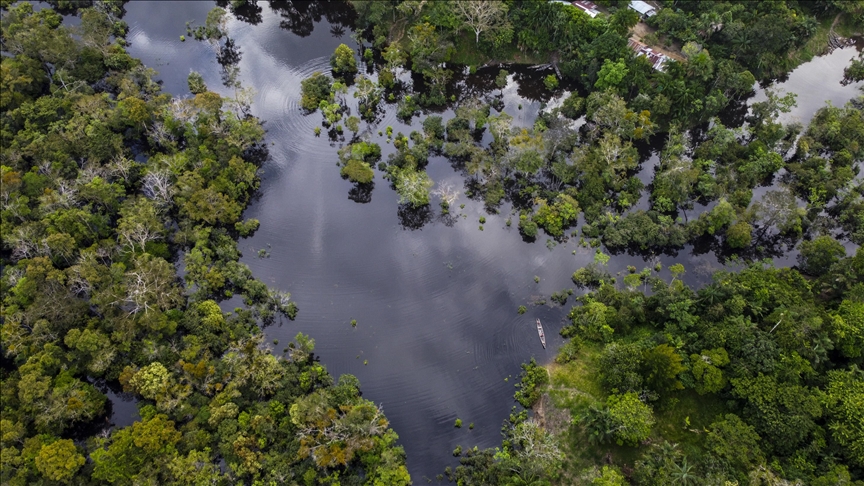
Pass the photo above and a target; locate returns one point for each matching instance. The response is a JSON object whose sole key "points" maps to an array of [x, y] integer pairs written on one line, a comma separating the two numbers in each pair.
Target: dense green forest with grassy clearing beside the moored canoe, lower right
{"points": [[753, 379]]}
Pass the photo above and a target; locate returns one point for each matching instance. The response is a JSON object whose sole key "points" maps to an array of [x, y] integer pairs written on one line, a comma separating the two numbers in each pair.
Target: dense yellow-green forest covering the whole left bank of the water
{"points": [[109, 186]]}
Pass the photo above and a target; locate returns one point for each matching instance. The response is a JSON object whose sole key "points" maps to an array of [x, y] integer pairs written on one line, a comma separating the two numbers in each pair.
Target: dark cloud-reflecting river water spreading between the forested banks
{"points": [[437, 330]]}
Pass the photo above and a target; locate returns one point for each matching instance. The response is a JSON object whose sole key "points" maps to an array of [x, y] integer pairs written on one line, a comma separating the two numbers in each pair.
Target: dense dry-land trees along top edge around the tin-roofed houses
{"points": [[723, 46]]}
